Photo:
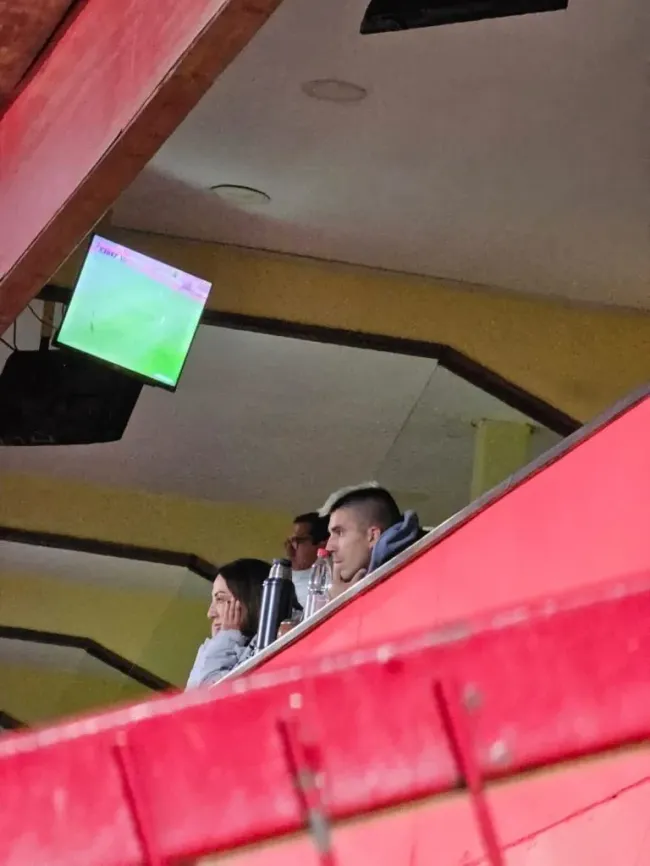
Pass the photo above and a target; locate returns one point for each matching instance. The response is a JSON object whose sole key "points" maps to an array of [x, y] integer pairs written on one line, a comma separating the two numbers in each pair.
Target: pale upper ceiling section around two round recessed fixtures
{"points": [[510, 152]]}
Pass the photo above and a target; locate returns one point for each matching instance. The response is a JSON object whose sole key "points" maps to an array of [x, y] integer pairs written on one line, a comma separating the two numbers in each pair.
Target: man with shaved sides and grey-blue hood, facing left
{"points": [[366, 530]]}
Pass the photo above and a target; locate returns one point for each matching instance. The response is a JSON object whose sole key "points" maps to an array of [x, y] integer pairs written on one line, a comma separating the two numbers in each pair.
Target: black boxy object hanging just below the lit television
{"points": [[60, 398]]}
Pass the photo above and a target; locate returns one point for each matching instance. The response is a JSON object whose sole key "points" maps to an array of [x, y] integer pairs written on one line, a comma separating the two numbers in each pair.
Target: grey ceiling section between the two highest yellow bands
{"points": [[281, 422]]}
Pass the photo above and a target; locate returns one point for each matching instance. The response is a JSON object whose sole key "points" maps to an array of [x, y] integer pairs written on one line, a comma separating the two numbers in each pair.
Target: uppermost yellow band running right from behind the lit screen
{"points": [[579, 359]]}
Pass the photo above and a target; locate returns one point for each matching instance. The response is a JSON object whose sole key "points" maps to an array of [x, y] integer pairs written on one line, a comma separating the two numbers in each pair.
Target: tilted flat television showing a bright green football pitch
{"points": [[134, 313]]}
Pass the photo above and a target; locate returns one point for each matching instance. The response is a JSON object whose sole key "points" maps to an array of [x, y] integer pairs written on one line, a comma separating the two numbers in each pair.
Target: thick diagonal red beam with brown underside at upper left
{"points": [[119, 81]]}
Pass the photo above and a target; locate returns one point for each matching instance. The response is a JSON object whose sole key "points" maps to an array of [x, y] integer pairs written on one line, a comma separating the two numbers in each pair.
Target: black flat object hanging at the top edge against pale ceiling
{"points": [[383, 16]]}
